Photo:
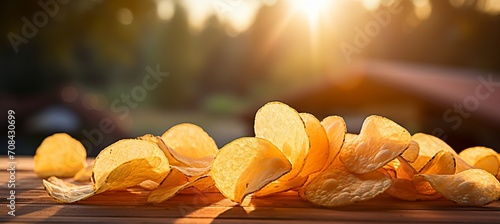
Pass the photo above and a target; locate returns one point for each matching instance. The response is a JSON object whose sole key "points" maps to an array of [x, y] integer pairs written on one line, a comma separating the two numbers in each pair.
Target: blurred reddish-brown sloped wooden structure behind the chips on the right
{"points": [[419, 97]]}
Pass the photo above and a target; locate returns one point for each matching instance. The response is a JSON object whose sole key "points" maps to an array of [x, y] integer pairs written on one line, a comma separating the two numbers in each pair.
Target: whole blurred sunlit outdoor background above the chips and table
{"points": [[111, 69]]}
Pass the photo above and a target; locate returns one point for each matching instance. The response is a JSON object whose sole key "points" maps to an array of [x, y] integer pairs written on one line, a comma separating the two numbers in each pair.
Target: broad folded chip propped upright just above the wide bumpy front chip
{"points": [[379, 142]]}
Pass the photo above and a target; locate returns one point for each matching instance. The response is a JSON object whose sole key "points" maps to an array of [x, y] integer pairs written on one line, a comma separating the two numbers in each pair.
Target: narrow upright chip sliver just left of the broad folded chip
{"points": [[336, 130]]}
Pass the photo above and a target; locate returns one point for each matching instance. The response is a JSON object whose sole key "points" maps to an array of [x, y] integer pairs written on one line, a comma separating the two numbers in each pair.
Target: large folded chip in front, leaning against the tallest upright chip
{"points": [[245, 165]]}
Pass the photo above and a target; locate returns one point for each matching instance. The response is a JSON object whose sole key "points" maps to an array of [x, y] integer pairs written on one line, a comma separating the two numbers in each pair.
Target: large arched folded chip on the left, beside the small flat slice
{"points": [[154, 165]]}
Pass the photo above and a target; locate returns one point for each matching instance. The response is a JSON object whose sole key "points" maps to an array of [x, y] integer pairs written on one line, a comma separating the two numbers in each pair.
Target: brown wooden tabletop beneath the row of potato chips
{"points": [[34, 205]]}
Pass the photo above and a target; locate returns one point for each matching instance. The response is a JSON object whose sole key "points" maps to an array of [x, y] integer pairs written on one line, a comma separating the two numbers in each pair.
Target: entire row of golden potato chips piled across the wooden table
{"points": [[291, 151]]}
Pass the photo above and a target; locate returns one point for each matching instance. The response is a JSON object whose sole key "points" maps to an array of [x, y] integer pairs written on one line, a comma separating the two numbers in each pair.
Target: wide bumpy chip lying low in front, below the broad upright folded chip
{"points": [[337, 186]]}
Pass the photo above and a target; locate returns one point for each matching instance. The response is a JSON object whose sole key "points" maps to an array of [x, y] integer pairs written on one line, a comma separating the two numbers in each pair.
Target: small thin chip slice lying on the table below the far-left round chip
{"points": [[64, 192]]}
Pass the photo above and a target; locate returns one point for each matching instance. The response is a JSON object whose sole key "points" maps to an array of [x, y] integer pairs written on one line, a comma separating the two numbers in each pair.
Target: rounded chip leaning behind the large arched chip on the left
{"points": [[190, 145]]}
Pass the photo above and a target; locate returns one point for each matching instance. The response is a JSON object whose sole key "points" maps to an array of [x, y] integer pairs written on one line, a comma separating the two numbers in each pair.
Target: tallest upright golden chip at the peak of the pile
{"points": [[283, 127]]}
